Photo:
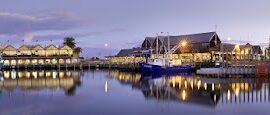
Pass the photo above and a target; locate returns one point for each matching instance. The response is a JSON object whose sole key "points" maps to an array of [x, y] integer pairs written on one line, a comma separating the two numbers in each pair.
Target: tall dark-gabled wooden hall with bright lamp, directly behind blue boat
{"points": [[201, 47]]}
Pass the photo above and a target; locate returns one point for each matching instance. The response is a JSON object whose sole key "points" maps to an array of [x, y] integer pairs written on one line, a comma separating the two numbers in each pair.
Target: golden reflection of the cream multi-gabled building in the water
{"points": [[39, 80]]}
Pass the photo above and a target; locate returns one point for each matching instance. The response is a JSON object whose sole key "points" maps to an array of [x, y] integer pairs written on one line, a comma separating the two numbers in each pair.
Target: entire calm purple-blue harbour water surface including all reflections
{"points": [[100, 92]]}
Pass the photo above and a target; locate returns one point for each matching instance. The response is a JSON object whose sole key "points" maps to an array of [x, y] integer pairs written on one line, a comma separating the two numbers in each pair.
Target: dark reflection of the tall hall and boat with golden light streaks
{"points": [[200, 90]]}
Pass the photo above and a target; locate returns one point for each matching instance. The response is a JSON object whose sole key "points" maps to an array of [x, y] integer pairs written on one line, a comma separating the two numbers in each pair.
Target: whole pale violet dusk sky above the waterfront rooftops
{"points": [[125, 23]]}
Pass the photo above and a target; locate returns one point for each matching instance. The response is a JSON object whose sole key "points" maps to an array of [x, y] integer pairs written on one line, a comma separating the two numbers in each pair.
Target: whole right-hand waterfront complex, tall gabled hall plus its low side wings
{"points": [[200, 48]]}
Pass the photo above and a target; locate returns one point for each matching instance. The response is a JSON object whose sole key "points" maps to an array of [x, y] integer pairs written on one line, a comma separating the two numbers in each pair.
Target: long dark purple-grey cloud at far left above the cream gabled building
{"points": [[13, 23]]}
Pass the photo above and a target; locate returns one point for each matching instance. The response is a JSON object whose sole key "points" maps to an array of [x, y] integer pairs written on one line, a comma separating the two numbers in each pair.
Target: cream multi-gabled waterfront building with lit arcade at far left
{"points": [[37, 55]]}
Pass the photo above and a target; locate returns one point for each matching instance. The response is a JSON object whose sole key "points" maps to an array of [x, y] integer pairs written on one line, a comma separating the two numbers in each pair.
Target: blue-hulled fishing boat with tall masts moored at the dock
{"points": [[164, 64]]}
